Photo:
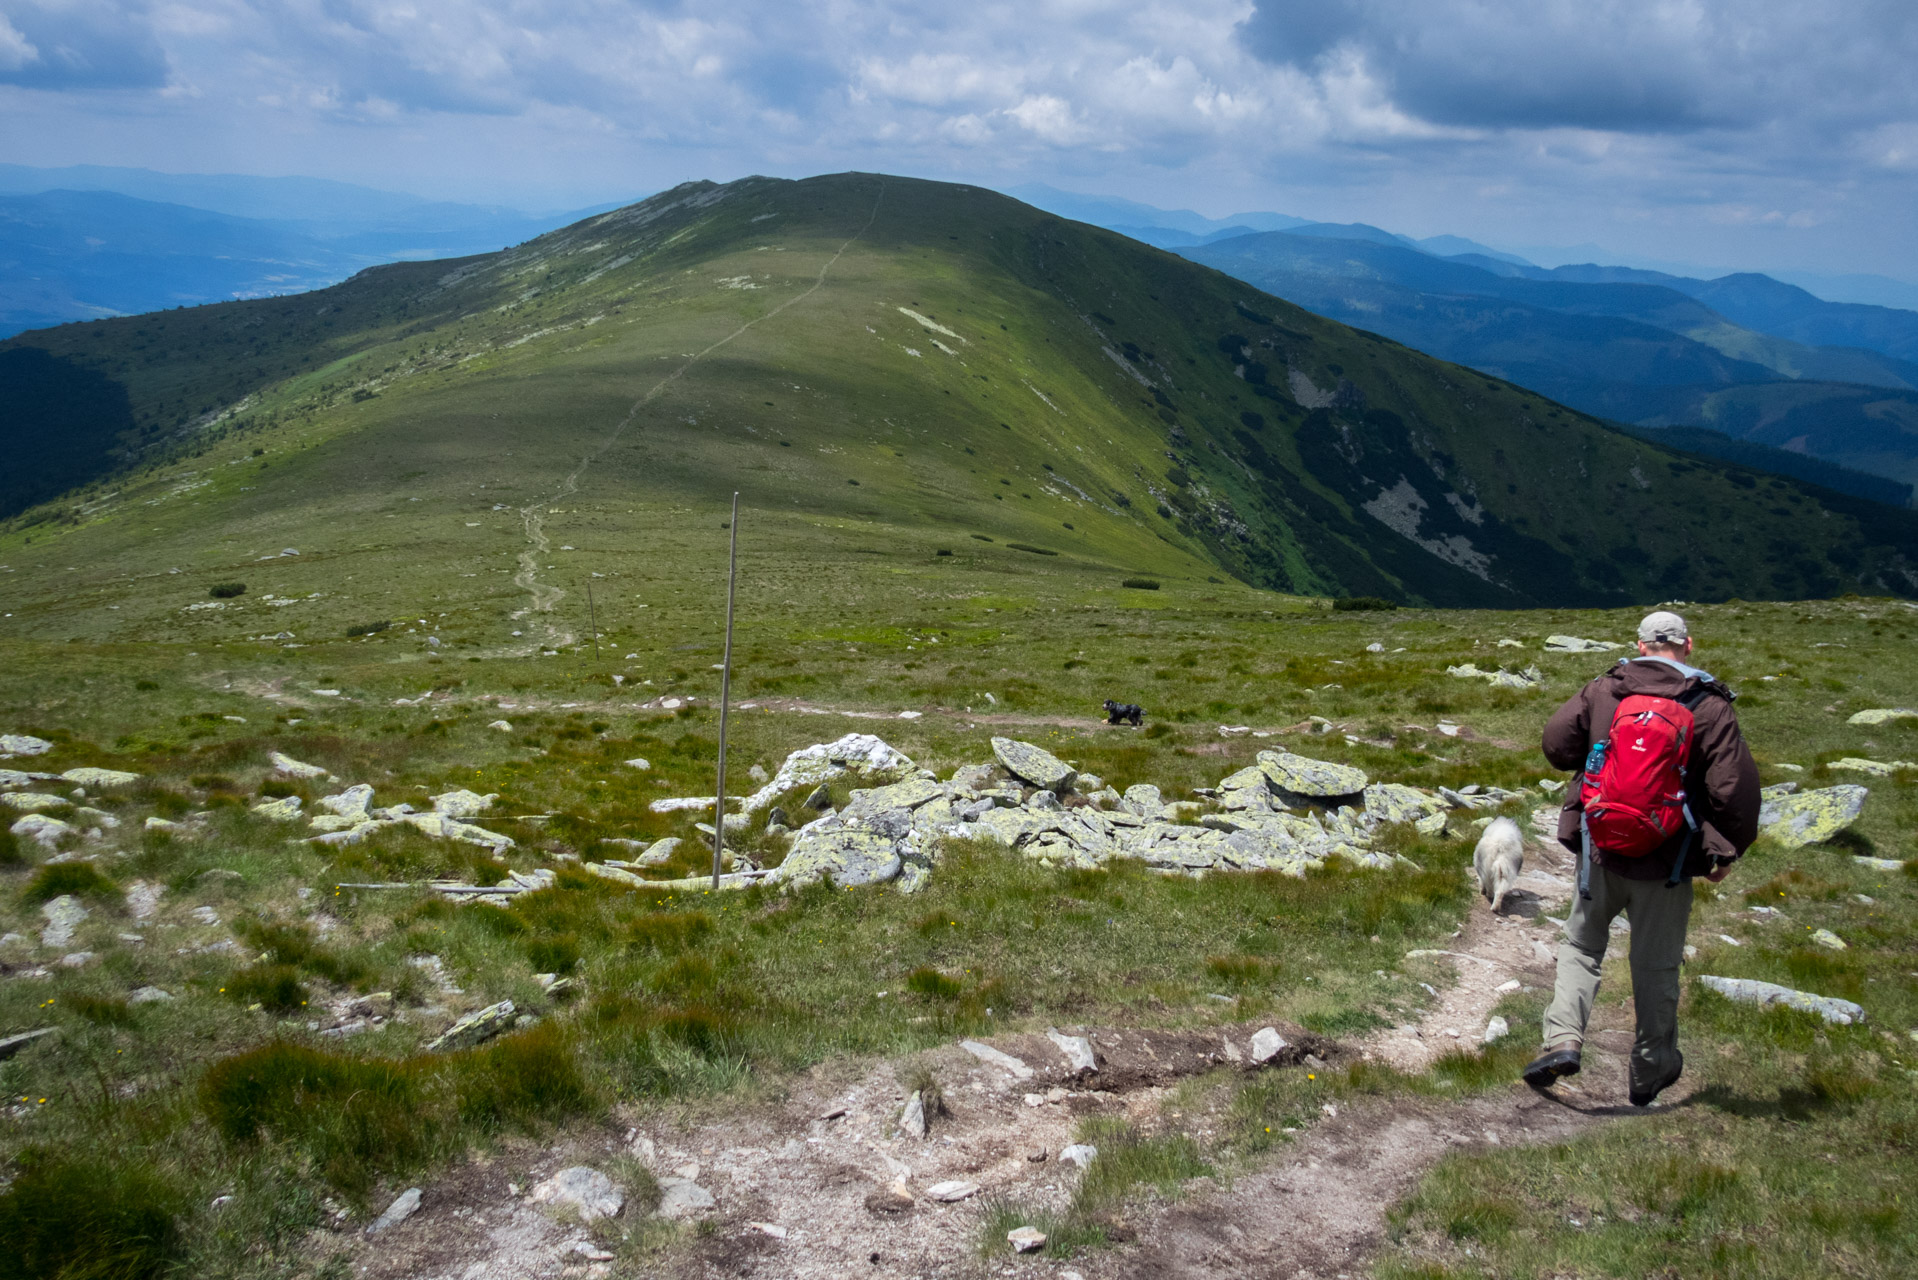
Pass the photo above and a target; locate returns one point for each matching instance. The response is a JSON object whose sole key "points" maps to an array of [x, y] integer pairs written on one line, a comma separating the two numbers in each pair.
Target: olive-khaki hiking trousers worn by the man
{"points": [[1660, 916]]}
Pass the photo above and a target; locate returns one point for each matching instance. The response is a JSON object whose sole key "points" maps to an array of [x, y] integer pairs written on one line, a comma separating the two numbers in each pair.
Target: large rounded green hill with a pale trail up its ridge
{"points": [[879, 366]]}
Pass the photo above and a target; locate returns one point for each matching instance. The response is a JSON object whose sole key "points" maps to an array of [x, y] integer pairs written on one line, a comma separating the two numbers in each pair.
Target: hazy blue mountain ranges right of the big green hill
{"points": [[1756, 371]]}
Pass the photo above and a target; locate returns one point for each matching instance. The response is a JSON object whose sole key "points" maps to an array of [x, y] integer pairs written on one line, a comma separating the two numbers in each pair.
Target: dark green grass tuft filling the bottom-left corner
{"points": [[89, 1220]]}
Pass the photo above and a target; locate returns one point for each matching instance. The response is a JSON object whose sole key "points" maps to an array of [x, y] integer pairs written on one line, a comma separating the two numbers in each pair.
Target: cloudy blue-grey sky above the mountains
{"points": [[1737, 133]]}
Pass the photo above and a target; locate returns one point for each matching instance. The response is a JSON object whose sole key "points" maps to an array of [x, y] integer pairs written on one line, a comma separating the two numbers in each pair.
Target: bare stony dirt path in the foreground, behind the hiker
{"points": [[824, 1185]]}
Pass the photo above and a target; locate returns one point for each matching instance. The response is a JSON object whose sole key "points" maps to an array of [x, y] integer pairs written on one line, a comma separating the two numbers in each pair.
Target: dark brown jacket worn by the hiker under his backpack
{"points": [[1723, 780]]}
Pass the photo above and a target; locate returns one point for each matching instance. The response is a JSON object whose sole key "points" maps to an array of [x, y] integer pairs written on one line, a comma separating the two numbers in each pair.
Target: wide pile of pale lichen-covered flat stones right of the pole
{"points": [[1280, 815]]}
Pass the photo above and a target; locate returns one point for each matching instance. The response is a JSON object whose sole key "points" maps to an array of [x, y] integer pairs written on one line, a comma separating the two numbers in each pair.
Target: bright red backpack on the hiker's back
{"points": [[1633, 786]]}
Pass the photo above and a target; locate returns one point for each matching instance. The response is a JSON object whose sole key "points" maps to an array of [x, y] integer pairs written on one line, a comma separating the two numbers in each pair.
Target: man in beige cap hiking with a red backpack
{"points": [[1668, 792]]}
